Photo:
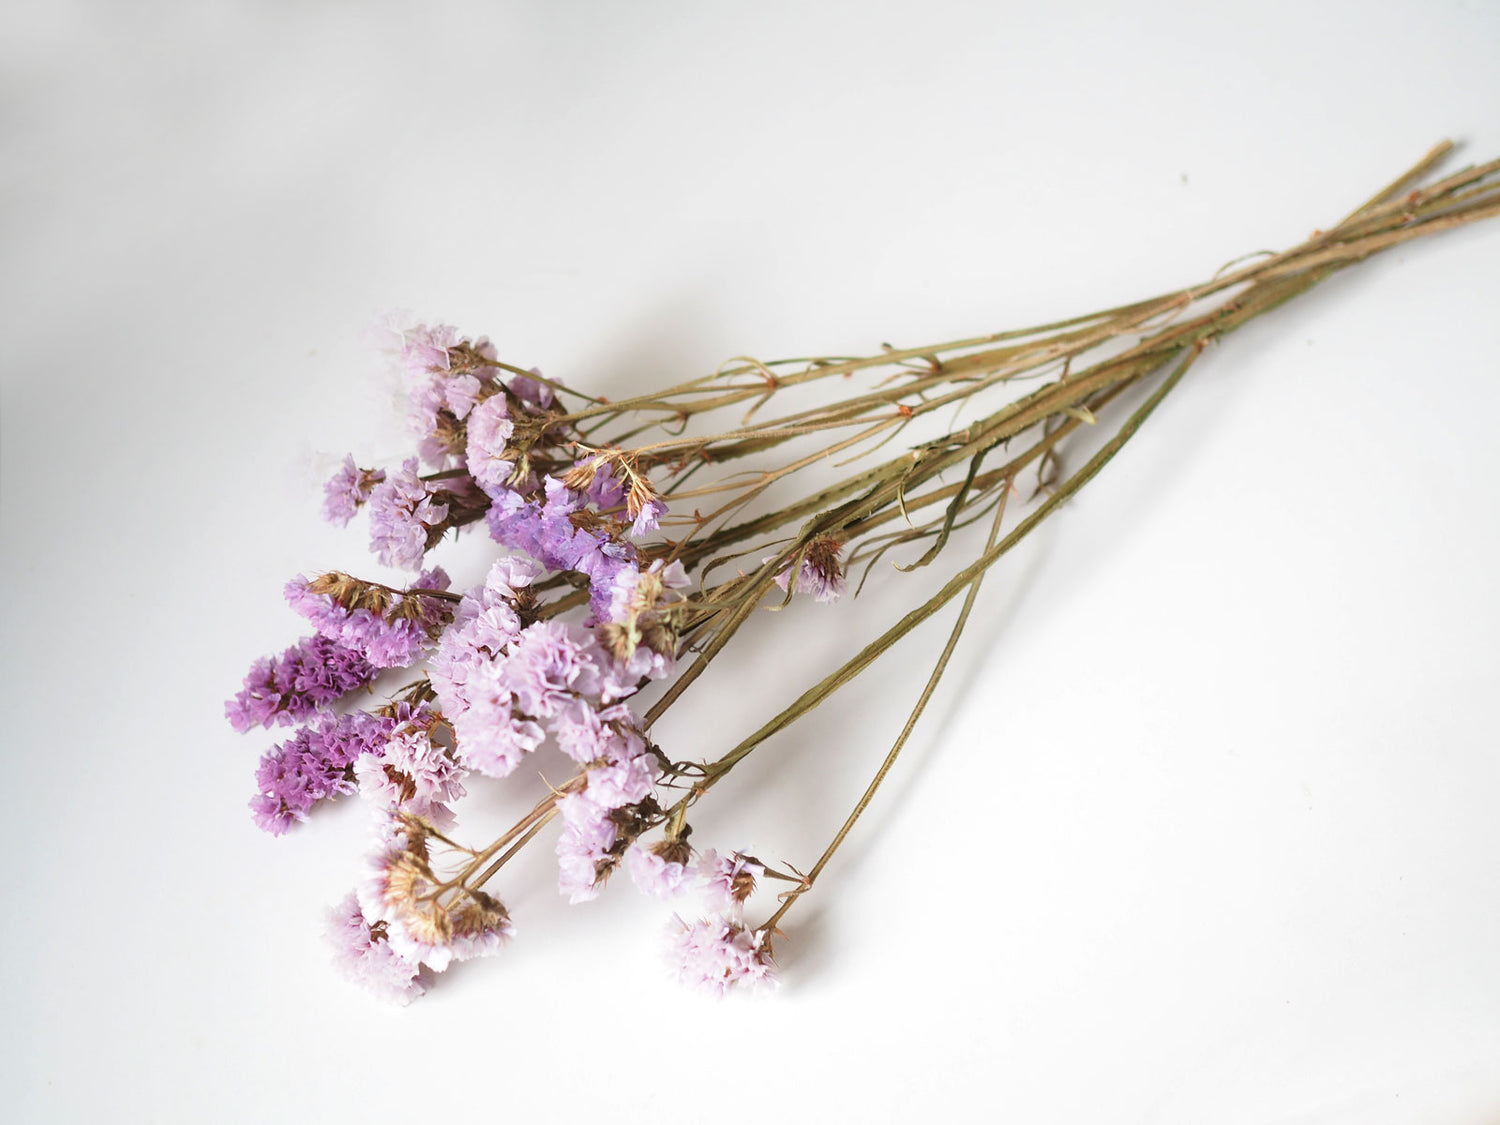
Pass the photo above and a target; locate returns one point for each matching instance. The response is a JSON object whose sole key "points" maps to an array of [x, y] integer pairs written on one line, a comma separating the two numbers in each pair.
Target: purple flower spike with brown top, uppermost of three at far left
{"points": [[397, 635]]}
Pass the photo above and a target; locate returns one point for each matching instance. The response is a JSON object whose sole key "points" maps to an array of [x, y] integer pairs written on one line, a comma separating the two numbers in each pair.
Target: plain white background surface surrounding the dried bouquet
{"points": [[1201, 829]]}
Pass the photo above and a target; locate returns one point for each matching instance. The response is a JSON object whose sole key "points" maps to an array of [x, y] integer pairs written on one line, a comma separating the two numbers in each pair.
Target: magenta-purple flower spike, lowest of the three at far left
{"points": [[317, 763]]}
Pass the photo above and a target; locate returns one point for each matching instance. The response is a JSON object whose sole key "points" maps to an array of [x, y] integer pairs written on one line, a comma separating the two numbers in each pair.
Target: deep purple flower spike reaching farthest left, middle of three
{"points": [[283, 691]]}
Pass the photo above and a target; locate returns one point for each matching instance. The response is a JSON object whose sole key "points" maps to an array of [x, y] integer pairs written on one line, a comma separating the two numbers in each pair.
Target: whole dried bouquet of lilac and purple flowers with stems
{"points": [[638, 538]]}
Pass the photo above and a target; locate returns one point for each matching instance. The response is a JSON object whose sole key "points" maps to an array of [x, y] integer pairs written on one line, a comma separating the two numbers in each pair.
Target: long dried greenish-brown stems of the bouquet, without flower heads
{"points": [[955, 373]]}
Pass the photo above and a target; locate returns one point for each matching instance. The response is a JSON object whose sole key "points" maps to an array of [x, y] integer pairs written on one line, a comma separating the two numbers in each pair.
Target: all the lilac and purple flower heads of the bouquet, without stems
{"points": [[505, 676]]}
